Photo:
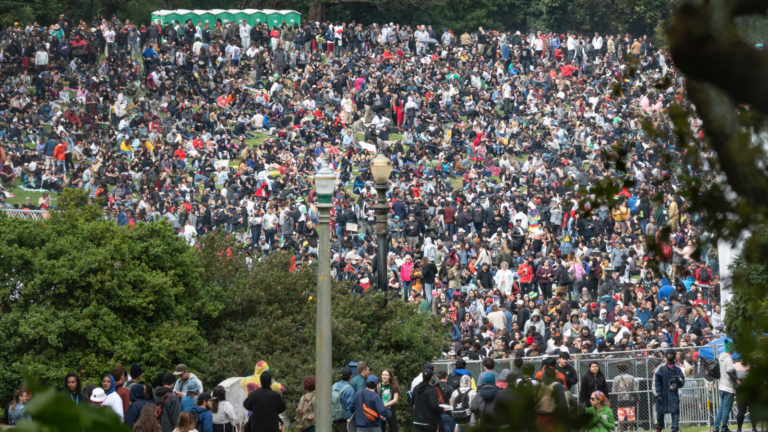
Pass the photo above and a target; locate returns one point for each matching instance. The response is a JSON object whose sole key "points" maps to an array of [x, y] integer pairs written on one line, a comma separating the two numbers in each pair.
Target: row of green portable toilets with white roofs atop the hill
{"points": [[252, 16]]}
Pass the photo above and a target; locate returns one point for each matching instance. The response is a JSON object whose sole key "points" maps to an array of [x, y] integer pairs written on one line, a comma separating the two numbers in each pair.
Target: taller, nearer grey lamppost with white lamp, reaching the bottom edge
{"points": [[325, 184]]}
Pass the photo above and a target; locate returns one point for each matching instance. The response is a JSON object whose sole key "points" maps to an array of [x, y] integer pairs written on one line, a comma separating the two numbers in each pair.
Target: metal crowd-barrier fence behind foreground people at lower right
{"points": [[699, 398]]}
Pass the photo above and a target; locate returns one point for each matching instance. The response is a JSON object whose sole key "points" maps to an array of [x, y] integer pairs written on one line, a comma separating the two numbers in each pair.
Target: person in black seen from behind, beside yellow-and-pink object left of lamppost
{"points": [[265, 405]]}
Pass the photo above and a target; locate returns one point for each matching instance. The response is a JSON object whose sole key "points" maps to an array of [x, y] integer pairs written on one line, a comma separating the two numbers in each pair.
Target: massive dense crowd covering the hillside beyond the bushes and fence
{"points": [[492, 135]]}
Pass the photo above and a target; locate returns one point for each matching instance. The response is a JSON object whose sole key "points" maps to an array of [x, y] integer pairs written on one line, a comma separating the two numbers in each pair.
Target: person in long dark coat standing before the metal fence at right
{"points": [[668, 379]]}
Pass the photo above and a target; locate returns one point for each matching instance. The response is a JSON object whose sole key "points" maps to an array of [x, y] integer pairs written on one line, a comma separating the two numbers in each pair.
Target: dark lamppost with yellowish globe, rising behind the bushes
{"points": [[381, 168]]}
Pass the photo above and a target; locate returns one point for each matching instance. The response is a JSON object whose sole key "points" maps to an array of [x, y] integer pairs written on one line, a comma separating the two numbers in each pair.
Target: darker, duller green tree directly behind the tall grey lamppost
{"points": [[269, 314]]}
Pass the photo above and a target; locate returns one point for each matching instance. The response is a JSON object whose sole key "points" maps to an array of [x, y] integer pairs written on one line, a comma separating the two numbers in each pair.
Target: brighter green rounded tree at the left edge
{"points": [[81, 294]]}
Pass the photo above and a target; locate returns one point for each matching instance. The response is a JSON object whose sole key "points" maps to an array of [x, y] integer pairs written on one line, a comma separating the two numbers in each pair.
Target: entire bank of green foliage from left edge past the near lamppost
{"points": [[81, 294]]}
